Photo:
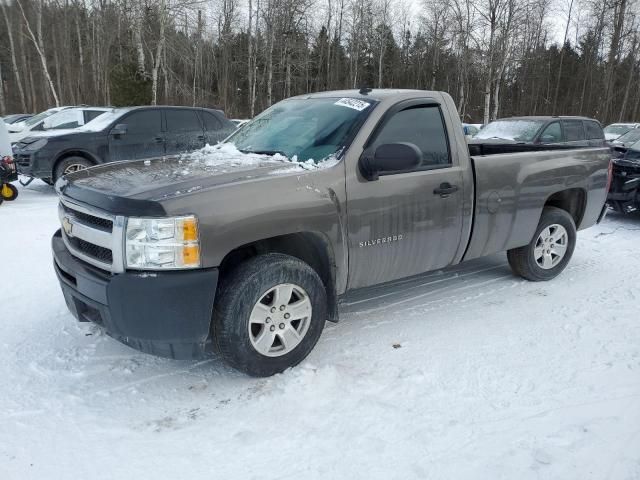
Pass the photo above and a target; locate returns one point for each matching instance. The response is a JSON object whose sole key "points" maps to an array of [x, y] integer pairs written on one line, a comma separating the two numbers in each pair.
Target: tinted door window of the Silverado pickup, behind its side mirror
{"points": [[422, 126]]}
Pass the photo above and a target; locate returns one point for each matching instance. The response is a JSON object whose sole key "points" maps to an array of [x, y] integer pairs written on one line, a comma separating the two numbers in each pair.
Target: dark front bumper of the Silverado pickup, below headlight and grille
{"points": [[162, 313]]}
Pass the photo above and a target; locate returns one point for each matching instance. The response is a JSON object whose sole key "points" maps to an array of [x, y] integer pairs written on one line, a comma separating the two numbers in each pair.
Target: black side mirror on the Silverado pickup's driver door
{"points": [[390, 158]]}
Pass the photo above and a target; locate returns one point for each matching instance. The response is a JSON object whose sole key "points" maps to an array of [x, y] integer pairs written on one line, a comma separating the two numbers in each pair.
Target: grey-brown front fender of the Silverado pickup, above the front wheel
{"points": [[237, 214]]}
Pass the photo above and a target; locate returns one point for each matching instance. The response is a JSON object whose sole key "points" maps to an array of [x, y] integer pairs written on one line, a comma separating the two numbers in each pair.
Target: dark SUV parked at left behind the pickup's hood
{"points": [[120, 134]]}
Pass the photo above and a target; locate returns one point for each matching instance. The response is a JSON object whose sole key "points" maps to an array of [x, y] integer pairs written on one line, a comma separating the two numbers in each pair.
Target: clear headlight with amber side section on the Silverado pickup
{"points": [[162, 243]]}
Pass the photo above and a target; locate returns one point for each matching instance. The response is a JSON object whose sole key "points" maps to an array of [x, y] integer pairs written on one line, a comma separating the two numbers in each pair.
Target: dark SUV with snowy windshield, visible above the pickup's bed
{"points": [[578, 131]]}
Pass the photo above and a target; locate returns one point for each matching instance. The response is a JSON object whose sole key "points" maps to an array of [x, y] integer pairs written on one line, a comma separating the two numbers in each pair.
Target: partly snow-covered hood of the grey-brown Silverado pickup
{"points": [[142, 185]]}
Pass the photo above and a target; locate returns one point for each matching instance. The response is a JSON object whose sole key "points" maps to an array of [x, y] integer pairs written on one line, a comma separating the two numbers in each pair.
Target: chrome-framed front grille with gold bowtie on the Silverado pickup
{"points": [[93, 235]]}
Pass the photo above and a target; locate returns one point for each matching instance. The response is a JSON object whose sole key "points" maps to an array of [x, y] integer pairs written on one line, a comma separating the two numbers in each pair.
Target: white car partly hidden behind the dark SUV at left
{"points": [[54, 119]]}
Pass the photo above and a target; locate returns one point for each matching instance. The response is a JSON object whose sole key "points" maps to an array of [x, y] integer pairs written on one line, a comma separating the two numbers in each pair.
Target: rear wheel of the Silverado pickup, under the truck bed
{"points": [[542, 259]]}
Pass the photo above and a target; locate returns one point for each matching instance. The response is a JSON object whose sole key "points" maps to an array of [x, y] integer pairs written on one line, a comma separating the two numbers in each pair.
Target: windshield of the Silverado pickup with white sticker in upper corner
{"points": [[303, 129]]}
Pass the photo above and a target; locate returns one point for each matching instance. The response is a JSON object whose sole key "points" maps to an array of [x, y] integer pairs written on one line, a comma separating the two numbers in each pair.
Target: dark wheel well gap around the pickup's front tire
{"points": [[313, 248]]}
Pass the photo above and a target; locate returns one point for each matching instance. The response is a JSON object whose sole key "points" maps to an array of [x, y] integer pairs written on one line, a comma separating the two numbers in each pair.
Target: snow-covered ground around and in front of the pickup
{"points": [[468, 373]]}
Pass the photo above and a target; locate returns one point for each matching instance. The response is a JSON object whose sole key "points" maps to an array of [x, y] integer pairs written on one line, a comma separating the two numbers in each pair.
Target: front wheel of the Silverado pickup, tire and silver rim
{"points": [[246, 309]]}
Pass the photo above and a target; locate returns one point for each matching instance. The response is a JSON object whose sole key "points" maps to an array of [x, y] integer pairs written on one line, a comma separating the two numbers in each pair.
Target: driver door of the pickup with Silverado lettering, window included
{"points": [[406, 223]]}
